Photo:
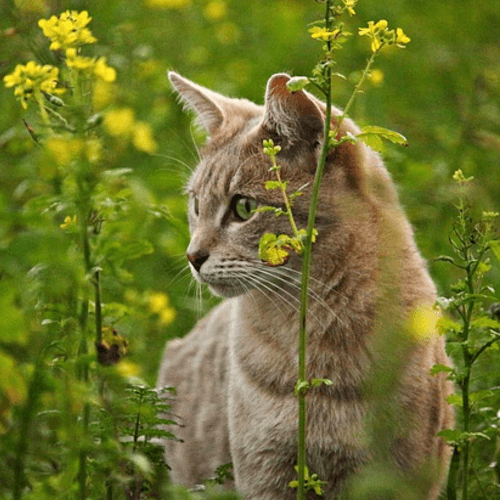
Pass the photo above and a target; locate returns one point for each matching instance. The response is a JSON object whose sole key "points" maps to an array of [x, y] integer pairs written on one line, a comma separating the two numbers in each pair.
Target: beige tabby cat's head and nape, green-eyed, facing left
{"points": [[229, 183]]}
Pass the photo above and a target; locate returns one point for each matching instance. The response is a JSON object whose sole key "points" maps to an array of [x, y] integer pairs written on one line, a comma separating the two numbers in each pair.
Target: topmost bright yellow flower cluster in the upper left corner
{"points": [[68, 30]]}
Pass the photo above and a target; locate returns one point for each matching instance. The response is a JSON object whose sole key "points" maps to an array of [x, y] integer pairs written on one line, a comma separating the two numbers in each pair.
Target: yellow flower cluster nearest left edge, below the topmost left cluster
{"points": [[32, 79]]}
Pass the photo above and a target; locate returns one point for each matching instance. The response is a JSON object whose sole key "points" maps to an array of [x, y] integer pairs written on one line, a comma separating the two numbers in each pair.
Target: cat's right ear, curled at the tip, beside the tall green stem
{"points": [[293, 116]]}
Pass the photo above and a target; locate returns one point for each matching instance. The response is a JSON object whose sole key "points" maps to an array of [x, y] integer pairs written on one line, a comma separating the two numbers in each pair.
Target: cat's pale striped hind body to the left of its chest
{"points": [[196, 366]]}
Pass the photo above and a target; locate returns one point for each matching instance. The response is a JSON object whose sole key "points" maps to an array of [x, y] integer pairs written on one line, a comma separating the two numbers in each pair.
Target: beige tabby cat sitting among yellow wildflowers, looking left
{"points": [[236, 371]]}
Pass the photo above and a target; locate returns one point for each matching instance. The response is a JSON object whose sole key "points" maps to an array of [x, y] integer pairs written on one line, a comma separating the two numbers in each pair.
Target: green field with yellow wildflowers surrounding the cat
{"points": [[95, 152]]}
